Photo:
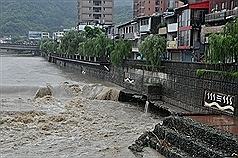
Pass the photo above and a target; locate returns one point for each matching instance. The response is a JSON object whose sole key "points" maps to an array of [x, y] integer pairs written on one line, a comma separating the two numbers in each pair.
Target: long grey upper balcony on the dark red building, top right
{"points": [[222, 15]]}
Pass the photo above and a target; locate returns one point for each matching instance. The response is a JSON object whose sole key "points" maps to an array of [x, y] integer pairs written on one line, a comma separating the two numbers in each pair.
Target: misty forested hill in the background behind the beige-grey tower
{"points": [[17, 17]]}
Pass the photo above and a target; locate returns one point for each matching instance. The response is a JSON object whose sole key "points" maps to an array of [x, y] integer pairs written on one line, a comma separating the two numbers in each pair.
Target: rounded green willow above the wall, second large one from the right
{"points": [[152, 48]]}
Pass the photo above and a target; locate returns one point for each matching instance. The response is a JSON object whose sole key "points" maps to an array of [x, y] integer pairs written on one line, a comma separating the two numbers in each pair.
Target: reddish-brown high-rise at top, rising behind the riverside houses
{"points": [[150, 7]]}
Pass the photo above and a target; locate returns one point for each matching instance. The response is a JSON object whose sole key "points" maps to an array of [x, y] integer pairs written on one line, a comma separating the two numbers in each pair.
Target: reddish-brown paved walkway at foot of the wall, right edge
{"points": [[223, 122]]}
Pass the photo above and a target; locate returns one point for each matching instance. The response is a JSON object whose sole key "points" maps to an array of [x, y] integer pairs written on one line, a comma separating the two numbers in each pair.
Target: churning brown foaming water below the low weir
{"points": [[69, 120]]}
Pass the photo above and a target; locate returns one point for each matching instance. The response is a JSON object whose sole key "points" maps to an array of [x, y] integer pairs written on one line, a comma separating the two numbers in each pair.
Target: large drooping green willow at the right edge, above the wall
{"points": [[224, 46]]}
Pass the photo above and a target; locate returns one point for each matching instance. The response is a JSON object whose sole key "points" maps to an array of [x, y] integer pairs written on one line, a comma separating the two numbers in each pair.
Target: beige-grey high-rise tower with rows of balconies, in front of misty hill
{"points": [[92, 12]]}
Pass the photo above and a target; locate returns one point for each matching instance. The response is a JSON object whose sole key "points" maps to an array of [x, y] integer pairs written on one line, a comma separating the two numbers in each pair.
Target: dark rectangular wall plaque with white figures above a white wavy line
{"points": [[219, 101]]}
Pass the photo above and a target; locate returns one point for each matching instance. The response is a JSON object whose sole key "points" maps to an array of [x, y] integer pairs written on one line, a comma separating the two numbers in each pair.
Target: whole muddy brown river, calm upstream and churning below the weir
{"points": [[80, 116]]}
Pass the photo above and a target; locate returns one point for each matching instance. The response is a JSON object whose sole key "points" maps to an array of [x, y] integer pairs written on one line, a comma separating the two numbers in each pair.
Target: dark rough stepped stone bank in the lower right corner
{"points": [[182, 137]]}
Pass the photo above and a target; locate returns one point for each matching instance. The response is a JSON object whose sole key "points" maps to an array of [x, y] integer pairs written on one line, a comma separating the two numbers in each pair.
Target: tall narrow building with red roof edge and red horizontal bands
{"points": [[190, 19]]}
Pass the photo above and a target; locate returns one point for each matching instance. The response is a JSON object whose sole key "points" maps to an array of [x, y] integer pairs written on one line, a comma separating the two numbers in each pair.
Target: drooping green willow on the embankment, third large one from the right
{"points": [[122, 51]]}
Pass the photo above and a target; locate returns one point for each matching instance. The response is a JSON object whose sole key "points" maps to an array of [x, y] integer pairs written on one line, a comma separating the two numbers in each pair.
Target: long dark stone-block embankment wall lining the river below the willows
{"points": [[181, 86]]}
